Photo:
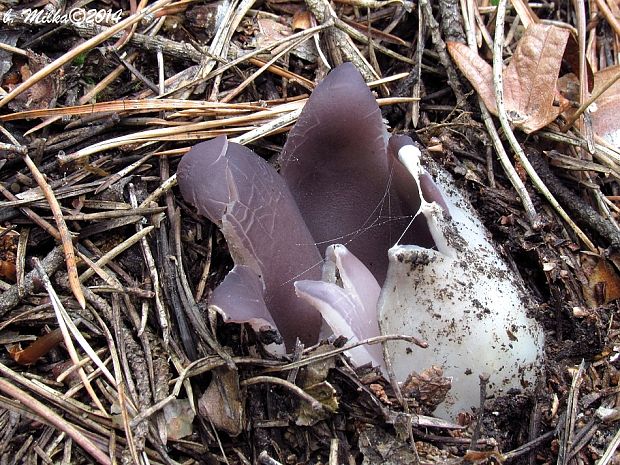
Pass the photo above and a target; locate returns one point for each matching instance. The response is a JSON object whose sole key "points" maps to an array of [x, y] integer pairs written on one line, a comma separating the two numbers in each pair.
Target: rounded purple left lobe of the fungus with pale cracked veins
{"points": [[251, 203]]}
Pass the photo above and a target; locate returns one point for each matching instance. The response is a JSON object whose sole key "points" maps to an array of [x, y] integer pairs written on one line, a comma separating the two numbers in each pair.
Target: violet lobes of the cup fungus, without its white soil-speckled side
{"points": [[350, 189]]}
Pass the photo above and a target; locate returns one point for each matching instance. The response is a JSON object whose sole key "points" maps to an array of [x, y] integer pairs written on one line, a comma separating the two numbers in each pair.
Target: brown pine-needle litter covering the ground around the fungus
{"points": [[147, 273]]}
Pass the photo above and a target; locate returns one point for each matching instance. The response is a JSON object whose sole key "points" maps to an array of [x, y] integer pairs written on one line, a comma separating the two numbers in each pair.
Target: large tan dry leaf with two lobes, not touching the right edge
{"points": [[529, 80]]}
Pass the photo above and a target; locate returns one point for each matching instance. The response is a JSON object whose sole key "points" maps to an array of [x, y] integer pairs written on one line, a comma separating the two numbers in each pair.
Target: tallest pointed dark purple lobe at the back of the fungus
{"points": [[335, 165]]}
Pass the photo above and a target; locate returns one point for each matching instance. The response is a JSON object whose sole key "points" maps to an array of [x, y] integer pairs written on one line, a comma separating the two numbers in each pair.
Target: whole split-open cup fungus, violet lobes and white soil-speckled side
{"points": [[346, 188]]}
